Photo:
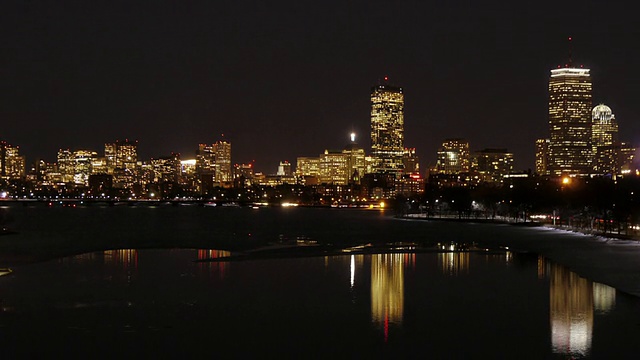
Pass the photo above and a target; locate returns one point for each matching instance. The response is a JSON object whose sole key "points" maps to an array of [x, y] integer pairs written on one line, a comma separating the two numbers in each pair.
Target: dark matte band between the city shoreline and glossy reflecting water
{"points": [[47, 233]]}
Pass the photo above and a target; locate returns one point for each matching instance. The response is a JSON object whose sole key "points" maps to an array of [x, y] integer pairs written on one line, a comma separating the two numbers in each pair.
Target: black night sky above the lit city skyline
{"points": [[283, 79]]}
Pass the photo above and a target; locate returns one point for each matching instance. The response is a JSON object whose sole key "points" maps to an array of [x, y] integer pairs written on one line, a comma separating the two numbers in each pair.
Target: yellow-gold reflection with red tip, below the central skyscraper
{"points": [[387, 289]]}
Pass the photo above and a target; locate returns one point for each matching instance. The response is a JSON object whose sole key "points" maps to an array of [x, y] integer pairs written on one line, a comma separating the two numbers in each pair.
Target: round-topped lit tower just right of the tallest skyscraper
{"points": [[604, 140]]}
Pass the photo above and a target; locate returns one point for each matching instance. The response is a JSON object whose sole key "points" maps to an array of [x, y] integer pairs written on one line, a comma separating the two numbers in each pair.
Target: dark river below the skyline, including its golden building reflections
{"points": [[125, 281]]}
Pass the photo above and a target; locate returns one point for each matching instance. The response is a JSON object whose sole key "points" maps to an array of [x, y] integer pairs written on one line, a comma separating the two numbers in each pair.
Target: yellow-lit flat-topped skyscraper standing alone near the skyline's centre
{"points": [[387, 128]]}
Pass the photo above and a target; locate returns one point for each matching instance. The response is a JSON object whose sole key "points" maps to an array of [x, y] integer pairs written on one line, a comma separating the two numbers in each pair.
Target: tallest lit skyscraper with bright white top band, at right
{"points": [[570, 150]]}
